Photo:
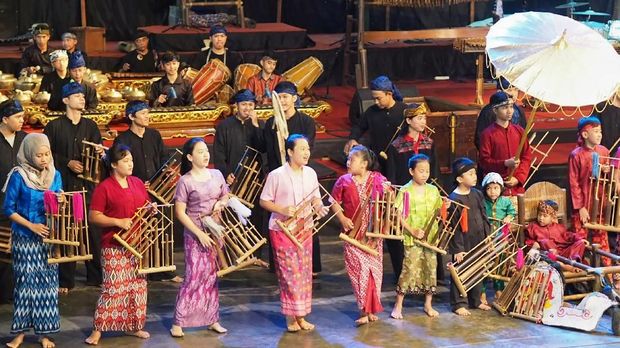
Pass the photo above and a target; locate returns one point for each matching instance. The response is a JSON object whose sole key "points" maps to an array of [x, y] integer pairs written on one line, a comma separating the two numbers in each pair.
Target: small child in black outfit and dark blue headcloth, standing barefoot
{"points": [[478, 229]]}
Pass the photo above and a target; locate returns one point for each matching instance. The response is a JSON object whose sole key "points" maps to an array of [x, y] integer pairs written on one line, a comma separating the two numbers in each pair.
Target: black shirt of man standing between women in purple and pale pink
{"points": [[231, 138]]}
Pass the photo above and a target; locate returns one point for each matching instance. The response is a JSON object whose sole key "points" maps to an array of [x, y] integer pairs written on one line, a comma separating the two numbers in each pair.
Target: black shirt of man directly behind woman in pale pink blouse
{"points": [[267, 140]]}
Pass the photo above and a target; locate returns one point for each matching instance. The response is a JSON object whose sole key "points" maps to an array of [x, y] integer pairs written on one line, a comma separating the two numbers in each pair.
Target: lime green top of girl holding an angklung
{"points": [[421, 209]]}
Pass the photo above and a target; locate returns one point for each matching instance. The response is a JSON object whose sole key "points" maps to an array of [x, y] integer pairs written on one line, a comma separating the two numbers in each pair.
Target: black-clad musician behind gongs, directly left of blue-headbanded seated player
{"points": [[54, 81]]}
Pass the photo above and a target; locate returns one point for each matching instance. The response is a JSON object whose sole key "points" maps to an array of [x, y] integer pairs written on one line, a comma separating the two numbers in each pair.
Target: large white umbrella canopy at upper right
{"points": [[554, 58]]}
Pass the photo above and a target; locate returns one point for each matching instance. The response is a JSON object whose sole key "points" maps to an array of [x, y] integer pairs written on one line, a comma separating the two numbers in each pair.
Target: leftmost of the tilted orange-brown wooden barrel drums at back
{"points": [[210, 79]]}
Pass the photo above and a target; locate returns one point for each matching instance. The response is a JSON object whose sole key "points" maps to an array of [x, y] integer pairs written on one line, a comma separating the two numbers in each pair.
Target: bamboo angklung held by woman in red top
{"points": [[150, 238]]}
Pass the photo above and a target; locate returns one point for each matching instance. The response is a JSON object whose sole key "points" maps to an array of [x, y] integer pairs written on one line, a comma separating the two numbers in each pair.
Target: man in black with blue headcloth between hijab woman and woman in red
{"points": [[66, 134]]}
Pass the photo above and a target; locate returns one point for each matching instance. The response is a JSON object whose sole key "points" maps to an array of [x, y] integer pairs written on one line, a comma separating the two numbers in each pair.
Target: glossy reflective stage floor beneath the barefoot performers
{"points": [[250, 310]]}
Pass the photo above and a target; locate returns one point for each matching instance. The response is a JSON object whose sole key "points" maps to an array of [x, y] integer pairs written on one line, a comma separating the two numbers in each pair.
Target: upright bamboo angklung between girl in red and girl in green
{"points": [[385, 221]]}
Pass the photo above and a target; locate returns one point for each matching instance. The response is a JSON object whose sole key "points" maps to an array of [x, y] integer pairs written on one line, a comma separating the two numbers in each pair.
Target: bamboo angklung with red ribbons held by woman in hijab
{"points": [[65, 214]]}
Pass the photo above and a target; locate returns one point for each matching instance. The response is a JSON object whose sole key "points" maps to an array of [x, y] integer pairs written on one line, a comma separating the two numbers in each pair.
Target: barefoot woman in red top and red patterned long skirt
{"points": [[122, 304]]}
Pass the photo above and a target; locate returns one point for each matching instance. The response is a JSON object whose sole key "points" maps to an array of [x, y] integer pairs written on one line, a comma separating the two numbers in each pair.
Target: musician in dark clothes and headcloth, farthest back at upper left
{"points": [[36, 57]]}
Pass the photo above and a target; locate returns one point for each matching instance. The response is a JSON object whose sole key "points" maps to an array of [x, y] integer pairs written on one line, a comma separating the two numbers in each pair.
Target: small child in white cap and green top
{"points": [[500, 210]]}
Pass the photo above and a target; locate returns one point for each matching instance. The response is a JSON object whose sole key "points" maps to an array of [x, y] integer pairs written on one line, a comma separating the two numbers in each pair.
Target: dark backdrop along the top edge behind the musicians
{"points": [[121, 17]]}
